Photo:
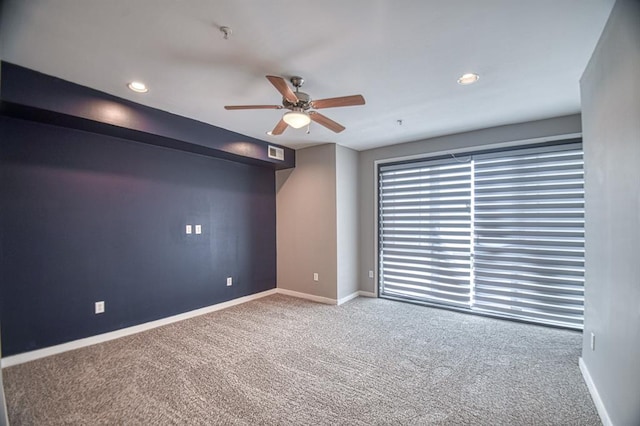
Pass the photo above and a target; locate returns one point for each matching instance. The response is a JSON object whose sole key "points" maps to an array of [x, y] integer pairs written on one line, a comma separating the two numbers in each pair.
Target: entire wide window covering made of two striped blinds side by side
{"points": [[501, 234]]}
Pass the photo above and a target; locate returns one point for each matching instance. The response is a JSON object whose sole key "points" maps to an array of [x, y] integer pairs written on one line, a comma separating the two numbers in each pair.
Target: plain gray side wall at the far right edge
{"points": [[611, 122]]}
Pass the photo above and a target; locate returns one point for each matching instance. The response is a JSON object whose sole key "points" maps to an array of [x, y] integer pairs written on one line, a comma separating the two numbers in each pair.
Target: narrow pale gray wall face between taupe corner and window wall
{"points": [[347, 220]]}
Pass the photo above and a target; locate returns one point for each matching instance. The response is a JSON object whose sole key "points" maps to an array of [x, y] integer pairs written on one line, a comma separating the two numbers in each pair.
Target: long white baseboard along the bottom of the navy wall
{"points": [[100, 338]]}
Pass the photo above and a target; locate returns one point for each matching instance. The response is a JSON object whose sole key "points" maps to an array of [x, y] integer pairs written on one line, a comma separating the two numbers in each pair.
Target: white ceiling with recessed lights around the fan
{"points": [[403, 56]]}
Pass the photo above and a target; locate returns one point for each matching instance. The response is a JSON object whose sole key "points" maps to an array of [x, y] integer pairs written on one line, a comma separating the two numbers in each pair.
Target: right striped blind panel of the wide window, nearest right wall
{"points": [[529, 236]]}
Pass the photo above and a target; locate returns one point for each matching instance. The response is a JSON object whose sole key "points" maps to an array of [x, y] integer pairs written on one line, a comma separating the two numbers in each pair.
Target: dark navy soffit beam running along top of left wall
{"points": [[30, 95]]}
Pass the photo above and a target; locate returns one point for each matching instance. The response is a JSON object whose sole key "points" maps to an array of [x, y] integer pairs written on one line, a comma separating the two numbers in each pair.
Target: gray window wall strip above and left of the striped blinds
{"points": [[367, 173]]}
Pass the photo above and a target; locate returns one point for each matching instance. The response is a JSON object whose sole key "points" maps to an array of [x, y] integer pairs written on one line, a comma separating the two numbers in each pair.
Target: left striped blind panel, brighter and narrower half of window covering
{"points": [[425, 219]]}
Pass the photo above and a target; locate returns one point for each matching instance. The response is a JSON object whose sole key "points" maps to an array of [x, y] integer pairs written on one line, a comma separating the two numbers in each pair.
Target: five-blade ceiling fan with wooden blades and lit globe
{"points": [[299, 104]]}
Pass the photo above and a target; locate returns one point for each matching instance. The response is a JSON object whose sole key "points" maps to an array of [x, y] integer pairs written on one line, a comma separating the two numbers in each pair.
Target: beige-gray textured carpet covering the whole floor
{"points": [[280, 360]]}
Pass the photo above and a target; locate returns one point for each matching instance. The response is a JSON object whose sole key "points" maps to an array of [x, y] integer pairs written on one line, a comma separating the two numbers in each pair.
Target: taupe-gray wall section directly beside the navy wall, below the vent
{"points": [[306, 223]]}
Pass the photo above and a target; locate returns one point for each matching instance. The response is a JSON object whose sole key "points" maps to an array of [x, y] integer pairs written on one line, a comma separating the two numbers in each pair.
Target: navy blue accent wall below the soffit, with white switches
{"points": [[86, 217]]}
